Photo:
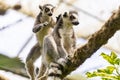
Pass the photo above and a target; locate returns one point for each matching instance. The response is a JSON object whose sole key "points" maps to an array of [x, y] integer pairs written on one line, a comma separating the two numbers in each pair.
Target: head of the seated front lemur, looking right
{"points": [[72, 17]]}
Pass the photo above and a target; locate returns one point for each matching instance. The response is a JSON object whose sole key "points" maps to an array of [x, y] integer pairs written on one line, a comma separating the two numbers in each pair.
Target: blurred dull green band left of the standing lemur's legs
{"points": [[13, 65]]}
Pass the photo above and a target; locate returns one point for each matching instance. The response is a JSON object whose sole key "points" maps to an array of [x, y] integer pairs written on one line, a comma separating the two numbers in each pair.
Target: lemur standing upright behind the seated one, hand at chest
{"points": [[42, 27]]}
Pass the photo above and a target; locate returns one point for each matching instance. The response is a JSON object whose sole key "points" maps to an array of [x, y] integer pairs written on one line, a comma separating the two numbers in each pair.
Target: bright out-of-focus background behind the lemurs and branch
{"points": [[16, 37]]}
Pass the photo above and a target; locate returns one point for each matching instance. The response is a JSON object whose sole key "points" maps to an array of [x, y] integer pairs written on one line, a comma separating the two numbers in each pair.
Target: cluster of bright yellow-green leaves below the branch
{"points": [[111, 72]]}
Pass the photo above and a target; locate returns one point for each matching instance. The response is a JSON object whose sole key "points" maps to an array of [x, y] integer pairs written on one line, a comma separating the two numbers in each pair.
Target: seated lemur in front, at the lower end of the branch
{"points": [[60, 43]]}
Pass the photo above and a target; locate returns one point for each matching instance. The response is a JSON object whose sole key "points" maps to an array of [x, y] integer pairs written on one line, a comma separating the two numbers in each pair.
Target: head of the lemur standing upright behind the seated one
{"points": [[47, 9]]}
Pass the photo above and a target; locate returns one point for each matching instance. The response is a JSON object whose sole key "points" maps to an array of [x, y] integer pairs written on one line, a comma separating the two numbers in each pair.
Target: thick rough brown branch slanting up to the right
{"points": [[94, 43]]}
